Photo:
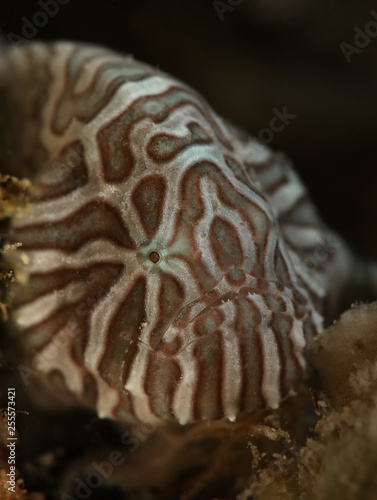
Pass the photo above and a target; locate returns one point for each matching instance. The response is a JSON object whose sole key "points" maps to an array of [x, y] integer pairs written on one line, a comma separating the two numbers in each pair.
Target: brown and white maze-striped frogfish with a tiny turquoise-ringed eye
{"points": [[170, 268]]}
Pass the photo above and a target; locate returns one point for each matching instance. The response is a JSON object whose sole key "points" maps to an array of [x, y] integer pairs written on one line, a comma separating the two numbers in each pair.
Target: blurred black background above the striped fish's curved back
{"points": [[264, 54]]}
